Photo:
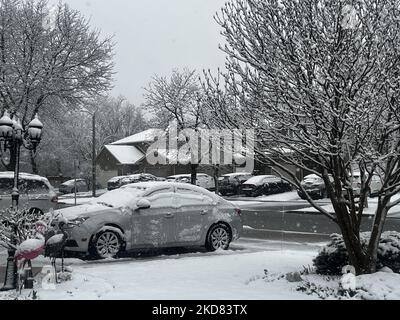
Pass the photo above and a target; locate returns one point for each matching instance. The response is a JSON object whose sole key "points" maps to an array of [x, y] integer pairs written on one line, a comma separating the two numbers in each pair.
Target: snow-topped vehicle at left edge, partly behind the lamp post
{"points": [[36, 194]]}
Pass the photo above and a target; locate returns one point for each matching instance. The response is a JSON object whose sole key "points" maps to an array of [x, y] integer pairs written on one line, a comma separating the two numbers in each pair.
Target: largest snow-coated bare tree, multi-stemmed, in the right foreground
{"points": [[319, 81]]}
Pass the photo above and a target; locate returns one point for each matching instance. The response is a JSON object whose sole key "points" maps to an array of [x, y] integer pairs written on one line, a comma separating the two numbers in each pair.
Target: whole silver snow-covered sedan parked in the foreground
{"points": [[149, 215]]}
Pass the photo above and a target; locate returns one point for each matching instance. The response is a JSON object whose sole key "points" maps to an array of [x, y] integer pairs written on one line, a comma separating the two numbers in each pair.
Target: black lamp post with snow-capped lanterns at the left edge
{"points": [[12, 137]]}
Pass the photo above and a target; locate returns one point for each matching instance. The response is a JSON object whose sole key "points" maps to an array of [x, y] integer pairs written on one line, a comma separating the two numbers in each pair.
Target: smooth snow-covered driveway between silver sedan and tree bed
{"points": [[220, 275]]}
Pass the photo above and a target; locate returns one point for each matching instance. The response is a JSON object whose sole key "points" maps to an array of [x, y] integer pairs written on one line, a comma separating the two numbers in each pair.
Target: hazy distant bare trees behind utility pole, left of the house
{"points": [[68, 136]]}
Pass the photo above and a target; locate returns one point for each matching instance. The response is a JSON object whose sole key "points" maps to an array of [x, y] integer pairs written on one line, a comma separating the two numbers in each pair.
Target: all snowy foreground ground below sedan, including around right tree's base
{"points": [[252, 269]]}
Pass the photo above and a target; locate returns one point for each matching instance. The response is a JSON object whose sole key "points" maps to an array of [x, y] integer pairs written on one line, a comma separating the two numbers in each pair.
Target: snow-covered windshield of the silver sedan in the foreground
{"points": [[120, 197]]}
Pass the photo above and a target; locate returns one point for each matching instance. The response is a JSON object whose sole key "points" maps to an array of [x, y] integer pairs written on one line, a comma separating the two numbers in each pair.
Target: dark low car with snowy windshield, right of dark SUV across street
{"points": [[265, 185]]}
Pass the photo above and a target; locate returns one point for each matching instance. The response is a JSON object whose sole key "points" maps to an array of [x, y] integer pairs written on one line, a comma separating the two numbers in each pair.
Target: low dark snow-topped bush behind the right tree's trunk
{"points": [[333, 257]]}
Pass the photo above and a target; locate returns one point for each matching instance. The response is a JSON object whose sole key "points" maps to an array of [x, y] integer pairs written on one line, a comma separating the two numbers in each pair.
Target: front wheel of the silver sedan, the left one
{"points": [[106, 244]]}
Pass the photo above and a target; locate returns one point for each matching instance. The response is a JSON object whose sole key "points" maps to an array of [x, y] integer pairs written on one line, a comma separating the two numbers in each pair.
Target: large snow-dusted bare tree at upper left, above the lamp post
{"points": [[49, 58]]}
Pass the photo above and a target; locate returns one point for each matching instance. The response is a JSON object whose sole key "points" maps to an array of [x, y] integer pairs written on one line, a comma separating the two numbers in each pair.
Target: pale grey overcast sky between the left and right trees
{"points": [[155, 36]]}
